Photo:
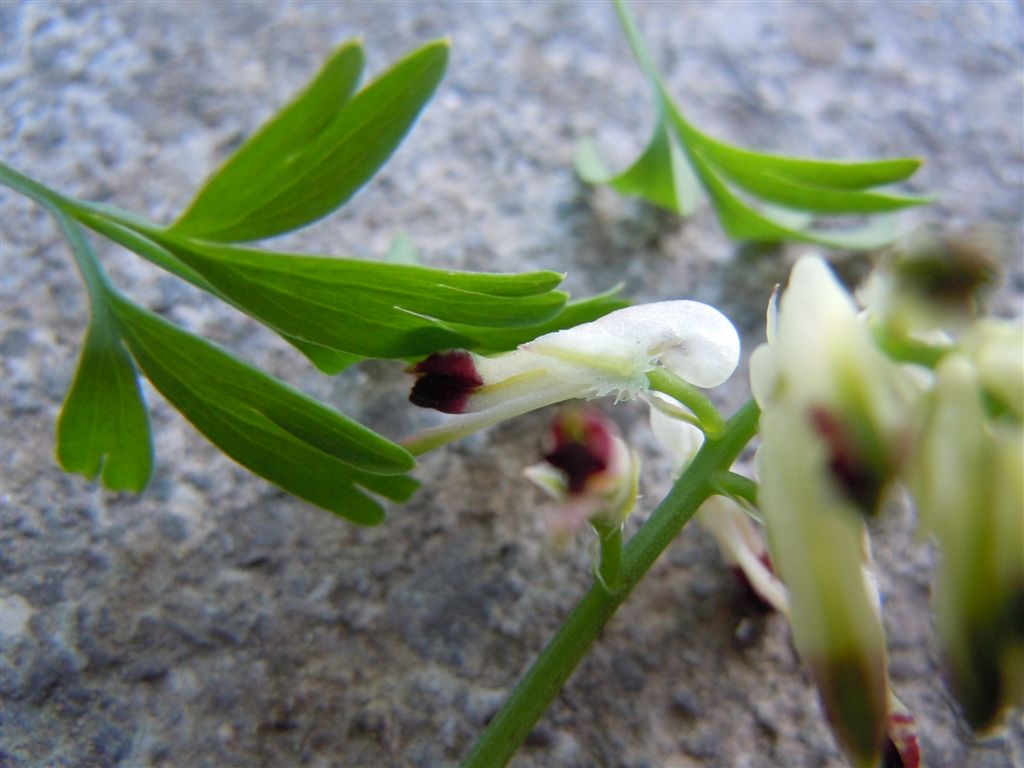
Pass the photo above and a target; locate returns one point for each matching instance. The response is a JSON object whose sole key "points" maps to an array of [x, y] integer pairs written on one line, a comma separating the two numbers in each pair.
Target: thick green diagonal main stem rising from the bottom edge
{"points": [[562, 656]]}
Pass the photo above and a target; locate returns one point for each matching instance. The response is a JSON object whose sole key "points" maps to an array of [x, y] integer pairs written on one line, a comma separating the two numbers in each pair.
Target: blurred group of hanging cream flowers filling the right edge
{"points": [[842, 422]]}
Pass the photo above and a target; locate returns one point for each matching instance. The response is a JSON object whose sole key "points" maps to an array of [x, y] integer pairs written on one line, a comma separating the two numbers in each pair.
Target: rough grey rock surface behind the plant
{"points": [[215, 621]]}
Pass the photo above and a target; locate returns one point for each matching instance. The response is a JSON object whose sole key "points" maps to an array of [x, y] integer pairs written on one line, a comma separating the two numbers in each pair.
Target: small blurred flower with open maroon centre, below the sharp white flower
{"points": [[590, 472]]}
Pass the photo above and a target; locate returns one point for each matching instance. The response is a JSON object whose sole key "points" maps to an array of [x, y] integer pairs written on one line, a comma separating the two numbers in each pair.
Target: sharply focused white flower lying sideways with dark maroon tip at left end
{"points": [[609, 357]]}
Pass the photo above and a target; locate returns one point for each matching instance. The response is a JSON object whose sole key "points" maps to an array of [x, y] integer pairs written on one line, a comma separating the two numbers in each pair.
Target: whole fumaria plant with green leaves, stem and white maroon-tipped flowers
{"points": [[905, 387]]}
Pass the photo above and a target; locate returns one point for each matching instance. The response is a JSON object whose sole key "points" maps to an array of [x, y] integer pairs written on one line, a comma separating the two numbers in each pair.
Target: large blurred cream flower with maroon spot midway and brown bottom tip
{"points": [[834, 425]]}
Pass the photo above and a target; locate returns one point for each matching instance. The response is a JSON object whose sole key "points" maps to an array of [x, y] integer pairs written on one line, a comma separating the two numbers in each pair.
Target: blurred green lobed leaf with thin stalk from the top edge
{"points": [[784, 188]]}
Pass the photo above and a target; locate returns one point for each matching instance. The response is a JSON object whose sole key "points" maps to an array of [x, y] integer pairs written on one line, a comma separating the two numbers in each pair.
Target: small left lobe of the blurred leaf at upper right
{"points": [[660, 176]]}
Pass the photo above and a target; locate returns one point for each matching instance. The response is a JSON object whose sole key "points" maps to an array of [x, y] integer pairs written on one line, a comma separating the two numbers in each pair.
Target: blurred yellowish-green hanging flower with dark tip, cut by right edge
{"points": [[968, 482]]}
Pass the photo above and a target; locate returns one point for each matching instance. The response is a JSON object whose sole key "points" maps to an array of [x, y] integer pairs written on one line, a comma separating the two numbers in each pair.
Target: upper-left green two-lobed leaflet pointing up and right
{"points": [[280, 182]]}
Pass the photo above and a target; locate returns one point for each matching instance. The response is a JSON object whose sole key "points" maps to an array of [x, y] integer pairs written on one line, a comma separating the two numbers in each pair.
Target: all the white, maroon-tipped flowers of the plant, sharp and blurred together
{"points": [[913, 391]]}
